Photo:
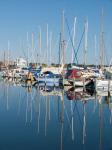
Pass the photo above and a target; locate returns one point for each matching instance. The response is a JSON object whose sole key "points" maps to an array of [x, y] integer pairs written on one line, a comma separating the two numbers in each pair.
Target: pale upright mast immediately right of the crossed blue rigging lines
{"points": [[85, 45]]}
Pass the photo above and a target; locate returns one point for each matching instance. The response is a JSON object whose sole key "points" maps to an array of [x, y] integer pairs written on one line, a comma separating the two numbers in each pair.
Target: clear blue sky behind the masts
{"points": [[21, 17]]}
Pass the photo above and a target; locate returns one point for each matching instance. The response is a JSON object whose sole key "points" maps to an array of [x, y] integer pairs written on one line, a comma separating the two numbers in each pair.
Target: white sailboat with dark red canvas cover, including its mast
{"points": [[78, 76]]}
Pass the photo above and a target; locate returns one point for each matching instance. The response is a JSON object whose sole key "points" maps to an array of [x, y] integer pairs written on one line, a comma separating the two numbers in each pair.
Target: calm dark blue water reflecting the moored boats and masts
{"points": [[33, 118]]}
